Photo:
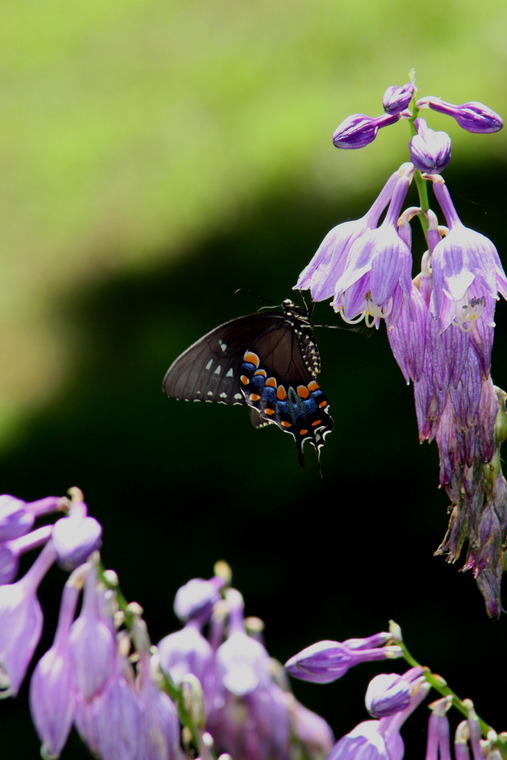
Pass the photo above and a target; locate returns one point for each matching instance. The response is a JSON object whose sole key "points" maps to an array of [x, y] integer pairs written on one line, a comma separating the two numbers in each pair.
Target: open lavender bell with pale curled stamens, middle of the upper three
{"points": [[377, 275]]}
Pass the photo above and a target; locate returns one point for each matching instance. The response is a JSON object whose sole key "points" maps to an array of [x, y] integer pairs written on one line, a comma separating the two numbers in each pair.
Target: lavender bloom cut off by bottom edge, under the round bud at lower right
{"points": [[378, 739]]}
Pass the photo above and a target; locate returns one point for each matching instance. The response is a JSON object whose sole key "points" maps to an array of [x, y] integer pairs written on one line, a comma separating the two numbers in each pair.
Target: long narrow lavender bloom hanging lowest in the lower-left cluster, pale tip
{"points": [[52, 700]]}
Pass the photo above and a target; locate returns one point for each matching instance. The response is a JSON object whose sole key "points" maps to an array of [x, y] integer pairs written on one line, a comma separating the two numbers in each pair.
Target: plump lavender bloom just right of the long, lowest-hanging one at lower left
{"points": [[92, 643]]}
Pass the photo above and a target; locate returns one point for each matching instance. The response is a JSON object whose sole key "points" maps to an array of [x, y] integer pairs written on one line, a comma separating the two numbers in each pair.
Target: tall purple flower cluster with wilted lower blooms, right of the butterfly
{"points": [[440, 323]]}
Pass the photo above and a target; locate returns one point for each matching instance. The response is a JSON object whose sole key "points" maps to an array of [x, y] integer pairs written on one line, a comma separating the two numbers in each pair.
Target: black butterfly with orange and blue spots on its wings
{"points": [[268, 361]]}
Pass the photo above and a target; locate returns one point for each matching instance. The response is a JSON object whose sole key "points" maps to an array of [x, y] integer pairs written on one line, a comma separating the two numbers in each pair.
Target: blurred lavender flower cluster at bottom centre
{"points": [[248, 707]]}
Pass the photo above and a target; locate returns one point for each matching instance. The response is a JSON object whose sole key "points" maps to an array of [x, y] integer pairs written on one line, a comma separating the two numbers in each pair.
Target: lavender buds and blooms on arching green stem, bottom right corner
{"points": [[391, 698]]}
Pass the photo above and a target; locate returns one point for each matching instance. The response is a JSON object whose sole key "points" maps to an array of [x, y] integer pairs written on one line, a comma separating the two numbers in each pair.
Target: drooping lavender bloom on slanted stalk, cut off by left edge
{"points": [[21, 623]]}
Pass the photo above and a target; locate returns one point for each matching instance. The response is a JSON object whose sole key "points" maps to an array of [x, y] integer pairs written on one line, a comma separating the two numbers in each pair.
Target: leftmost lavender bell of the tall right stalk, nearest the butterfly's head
{"points": [[326, 267]]}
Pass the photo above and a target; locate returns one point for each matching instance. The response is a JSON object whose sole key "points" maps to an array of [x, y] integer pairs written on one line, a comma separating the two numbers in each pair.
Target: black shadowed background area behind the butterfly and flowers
{"points": [[178, 486]]}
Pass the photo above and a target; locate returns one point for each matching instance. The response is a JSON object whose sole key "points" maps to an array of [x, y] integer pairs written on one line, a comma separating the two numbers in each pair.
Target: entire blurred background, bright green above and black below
{"points": [[155, 156]]}
